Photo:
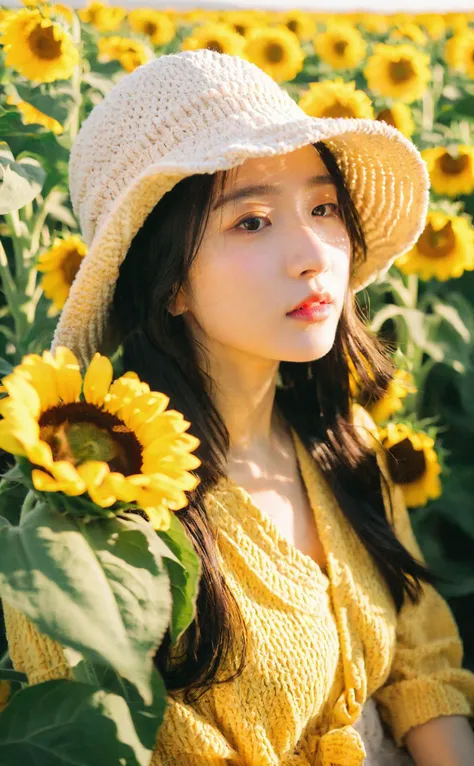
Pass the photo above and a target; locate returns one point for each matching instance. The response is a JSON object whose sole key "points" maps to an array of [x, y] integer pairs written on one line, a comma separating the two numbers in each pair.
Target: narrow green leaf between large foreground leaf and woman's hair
{"points": [[184, 577]]}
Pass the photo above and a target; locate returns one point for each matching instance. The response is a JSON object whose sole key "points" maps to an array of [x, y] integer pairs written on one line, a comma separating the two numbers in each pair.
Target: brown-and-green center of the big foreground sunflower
{"points": [[78, 432]]}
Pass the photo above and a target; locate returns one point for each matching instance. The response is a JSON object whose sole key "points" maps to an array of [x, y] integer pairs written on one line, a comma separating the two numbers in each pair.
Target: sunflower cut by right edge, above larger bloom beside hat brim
{"points": [[450, 175]]}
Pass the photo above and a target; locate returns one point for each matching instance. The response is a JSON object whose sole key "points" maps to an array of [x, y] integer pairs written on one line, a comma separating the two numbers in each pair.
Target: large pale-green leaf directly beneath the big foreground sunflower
{"points": [[99, 588]]}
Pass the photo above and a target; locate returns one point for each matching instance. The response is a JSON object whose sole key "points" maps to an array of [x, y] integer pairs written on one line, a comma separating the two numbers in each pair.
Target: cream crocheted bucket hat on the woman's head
{"points": [[199, 112]]}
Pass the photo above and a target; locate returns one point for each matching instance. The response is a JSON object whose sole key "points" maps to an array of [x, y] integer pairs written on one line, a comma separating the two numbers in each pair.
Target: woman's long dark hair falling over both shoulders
{"points": [[158, 347]]}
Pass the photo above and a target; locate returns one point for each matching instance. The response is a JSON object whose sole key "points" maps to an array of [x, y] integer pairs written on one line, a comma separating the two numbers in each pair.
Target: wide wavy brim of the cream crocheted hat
{"points": [[384, 172]]}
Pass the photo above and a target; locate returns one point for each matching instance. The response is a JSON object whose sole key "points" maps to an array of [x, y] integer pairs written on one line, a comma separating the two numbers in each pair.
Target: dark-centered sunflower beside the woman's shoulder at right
{"points": [[412, 462]]}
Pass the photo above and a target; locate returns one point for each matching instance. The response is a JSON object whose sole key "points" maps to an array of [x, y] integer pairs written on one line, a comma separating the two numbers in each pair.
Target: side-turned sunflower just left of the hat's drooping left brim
{"points": [[60, 265]]}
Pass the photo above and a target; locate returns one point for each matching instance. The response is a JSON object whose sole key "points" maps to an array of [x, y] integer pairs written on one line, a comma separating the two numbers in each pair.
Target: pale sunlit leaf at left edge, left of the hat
{"points": [[20, 182]]}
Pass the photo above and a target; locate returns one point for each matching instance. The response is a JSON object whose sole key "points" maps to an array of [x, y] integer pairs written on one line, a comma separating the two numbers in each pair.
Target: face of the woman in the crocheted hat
{"points": [[277, 237]]}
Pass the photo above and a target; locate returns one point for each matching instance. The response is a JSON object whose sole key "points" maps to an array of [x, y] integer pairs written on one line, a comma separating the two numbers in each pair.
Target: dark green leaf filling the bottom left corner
{"points": [[65, 723]]}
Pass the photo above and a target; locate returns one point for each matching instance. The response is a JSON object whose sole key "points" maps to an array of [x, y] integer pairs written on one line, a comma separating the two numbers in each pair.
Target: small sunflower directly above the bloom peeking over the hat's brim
{"points": [[341, 46]]}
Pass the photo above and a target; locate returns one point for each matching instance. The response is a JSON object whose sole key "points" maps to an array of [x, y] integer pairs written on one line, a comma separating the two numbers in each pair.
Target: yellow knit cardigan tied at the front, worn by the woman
{"points": [[318, 644]]}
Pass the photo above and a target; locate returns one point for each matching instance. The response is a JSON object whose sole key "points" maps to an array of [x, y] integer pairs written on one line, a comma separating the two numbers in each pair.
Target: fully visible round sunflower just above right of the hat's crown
{"points": [[276, 50]]}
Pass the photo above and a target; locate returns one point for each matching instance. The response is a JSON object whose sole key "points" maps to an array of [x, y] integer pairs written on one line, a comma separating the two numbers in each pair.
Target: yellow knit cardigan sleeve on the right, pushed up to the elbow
{"points": [[426, 679]]}
